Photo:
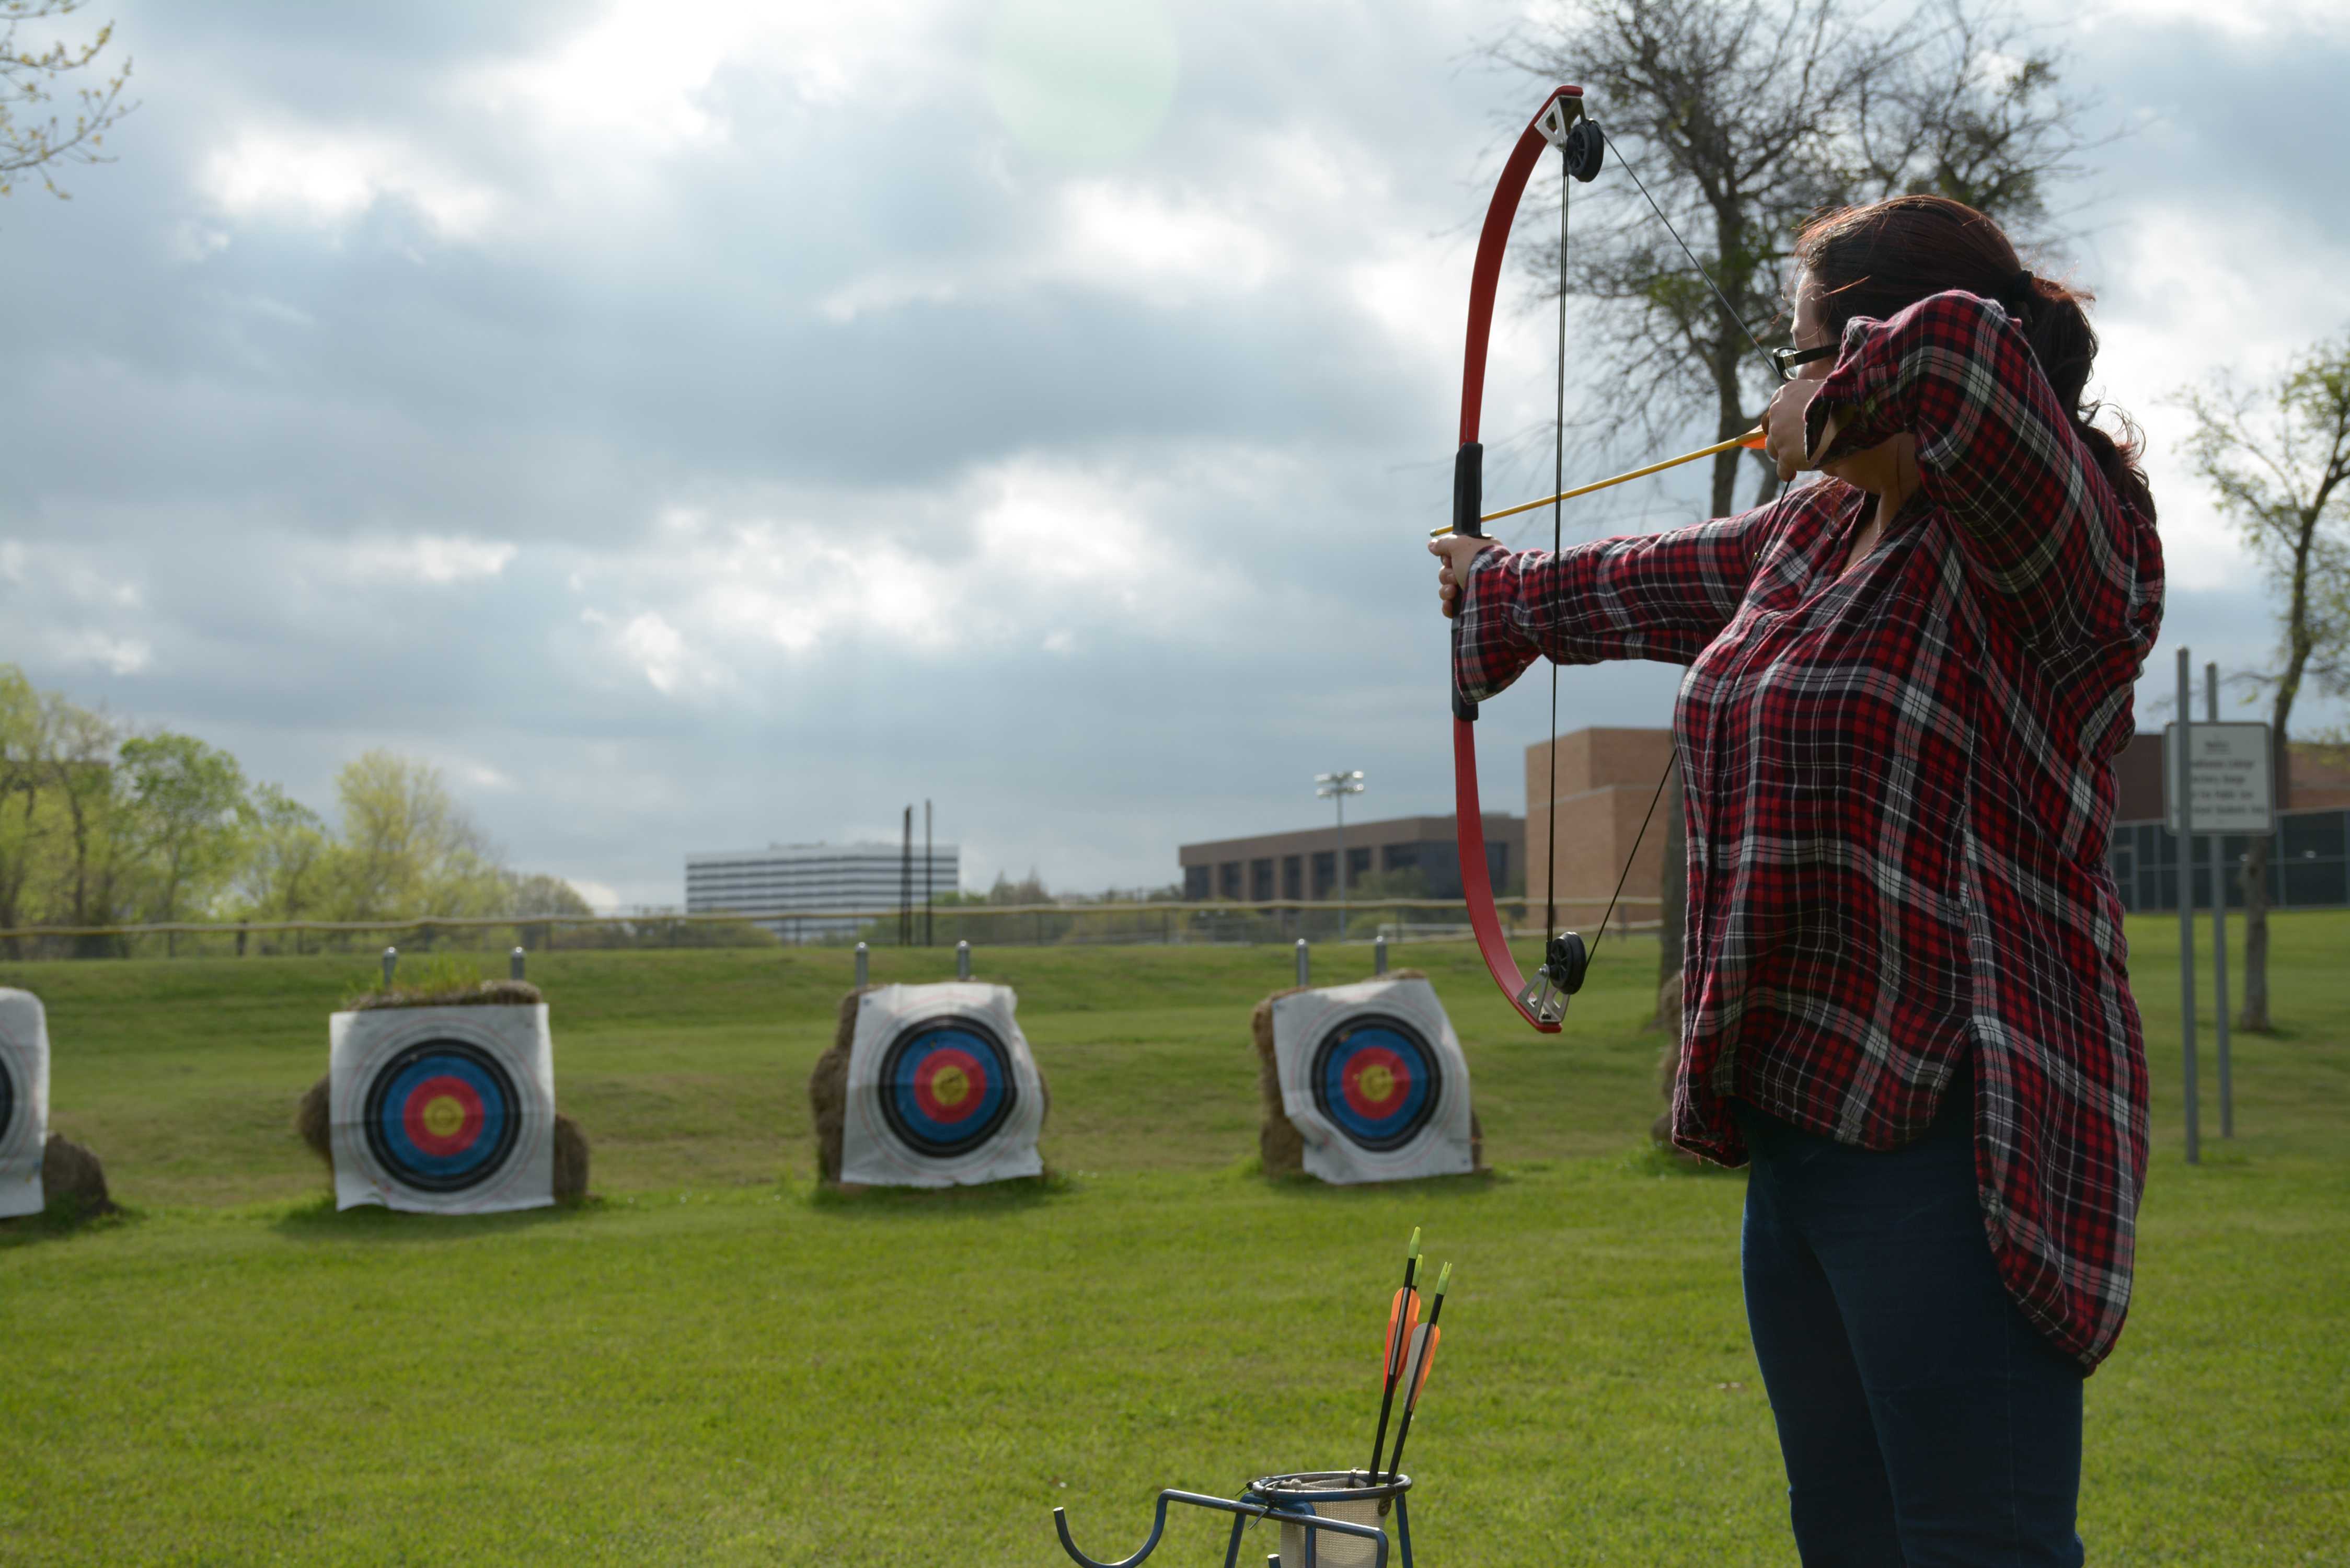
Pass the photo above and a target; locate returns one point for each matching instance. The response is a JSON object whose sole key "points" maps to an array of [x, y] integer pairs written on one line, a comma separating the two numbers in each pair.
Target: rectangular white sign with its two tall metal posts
{"points": [[2217, 779]]}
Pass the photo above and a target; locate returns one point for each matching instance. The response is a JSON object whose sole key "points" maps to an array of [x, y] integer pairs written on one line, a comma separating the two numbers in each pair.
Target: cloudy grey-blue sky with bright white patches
{"points": [[704, 424]]}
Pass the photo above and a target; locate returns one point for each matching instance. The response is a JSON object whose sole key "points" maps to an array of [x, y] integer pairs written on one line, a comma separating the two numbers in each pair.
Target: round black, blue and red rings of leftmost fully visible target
{"points": [[443, 1115]]}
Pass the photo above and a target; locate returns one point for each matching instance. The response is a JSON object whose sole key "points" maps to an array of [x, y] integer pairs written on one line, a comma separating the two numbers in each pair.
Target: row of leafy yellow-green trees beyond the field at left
{"points": [[109, 826]]}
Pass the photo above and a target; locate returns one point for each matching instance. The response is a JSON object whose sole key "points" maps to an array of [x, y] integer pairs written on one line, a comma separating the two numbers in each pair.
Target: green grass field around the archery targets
{"points": [[718, 1365]]}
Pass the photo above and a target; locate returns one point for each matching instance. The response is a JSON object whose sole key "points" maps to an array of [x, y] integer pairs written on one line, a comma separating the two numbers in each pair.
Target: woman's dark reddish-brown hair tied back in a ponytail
{"points": [[1891, 255]]}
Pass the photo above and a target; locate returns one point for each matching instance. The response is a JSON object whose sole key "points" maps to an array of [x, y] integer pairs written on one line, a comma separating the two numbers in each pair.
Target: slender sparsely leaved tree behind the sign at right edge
{"points": [[2278, 455]]}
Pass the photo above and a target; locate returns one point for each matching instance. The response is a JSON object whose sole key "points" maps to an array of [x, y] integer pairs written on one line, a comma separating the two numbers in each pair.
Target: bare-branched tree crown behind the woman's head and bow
{"points": [[1745, 119]]}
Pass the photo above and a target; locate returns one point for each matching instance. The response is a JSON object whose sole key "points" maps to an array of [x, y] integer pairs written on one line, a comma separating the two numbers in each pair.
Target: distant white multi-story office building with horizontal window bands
{"points": [[767, 885]]}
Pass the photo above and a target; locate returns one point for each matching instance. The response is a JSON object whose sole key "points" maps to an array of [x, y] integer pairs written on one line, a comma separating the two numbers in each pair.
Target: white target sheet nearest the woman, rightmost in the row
{"points": [[1374, 1080]]}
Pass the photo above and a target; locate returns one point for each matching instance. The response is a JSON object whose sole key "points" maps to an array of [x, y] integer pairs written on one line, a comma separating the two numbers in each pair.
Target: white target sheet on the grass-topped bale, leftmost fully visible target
{"points": [[443, 1108]]}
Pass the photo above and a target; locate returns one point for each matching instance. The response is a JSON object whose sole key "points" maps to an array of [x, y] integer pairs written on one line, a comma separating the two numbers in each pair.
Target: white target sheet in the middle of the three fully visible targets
{"points": [[941, 1090]]}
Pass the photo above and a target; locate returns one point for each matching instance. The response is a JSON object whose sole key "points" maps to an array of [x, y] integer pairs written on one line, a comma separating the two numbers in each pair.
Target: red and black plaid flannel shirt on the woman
{"points": [[1900, 786]]}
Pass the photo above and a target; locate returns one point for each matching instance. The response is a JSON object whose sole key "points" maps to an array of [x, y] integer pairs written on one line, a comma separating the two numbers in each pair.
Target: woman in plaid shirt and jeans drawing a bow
{"points": [[1905, 970]]}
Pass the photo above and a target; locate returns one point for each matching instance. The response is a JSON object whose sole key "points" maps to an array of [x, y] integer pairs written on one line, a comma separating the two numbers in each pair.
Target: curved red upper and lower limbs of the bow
{"points": [[1550, 123]]}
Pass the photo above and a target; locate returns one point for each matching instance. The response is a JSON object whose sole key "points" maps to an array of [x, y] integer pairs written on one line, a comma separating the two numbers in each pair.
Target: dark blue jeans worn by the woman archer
{"points": [[1923, 1421]]}
